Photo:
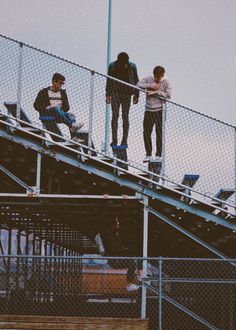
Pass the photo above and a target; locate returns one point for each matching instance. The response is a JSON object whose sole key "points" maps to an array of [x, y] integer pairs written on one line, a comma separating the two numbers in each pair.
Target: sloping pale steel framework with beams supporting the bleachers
{"points": [[144, 187]]}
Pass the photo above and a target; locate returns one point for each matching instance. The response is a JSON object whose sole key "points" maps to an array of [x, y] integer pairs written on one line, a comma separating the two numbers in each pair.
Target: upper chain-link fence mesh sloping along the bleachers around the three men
{"points": [[193, 143]]}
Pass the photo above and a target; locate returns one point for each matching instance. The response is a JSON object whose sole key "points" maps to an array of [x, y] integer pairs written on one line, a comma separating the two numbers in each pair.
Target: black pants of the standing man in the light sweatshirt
{"points": [[152, 118]]}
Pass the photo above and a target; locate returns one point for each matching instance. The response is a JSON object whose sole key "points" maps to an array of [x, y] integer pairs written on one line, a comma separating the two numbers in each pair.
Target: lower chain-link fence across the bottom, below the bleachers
{"points": [[170, 293]]}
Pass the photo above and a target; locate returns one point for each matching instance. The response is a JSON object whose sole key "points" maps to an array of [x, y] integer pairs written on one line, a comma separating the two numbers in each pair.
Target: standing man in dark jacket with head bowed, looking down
{"points": [[119, 94]]}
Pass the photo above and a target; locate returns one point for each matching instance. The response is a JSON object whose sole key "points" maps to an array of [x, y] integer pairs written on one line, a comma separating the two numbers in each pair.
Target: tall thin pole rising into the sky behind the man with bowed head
{"points": [[107, 113]]}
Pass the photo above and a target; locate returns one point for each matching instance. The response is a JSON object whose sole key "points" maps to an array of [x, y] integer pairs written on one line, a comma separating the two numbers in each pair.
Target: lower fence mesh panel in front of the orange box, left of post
{"points": [[69, 286]]}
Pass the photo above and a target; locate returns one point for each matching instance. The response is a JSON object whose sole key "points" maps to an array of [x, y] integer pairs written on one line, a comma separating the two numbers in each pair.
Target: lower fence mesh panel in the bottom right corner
{"points": [[201, 294]]}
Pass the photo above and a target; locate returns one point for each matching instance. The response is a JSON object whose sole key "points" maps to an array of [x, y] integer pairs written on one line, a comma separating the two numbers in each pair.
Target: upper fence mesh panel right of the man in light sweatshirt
{"points": [[198, 144]]}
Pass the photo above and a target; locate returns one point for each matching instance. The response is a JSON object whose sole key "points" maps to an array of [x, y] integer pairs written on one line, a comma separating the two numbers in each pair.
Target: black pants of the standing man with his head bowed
{"points": [[123, 101]]}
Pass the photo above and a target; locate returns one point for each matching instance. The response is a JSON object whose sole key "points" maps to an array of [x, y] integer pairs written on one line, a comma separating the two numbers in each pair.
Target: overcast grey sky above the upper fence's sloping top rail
{"points": [[193, 39]]}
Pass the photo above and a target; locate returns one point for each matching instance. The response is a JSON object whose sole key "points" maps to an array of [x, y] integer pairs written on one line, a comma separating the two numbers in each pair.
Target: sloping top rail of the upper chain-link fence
{"points": [[106, 76]]}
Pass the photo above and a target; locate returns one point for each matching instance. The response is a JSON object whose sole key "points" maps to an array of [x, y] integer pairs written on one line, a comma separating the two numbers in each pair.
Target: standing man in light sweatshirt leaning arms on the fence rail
{"points": [[157, 88]]}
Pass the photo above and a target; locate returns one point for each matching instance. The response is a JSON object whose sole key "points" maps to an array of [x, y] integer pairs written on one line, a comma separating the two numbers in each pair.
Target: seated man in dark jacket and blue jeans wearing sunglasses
{"points": [[53, 106]]}
